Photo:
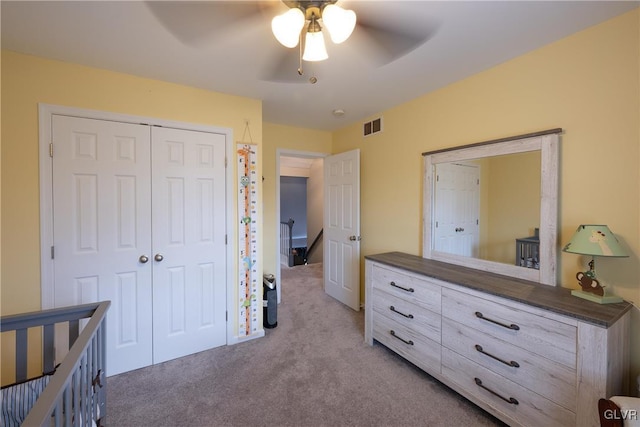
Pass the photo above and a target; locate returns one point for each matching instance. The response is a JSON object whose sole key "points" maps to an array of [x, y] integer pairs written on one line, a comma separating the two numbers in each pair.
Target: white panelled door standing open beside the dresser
{"points": [[342, 227]]}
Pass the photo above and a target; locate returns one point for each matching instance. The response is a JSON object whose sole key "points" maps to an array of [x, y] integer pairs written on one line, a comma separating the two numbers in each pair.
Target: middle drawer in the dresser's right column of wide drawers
{"points": [[553, 380]]}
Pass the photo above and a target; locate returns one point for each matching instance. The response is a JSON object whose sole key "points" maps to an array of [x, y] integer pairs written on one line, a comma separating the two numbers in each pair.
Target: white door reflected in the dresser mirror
{"points": [[457, 209]]}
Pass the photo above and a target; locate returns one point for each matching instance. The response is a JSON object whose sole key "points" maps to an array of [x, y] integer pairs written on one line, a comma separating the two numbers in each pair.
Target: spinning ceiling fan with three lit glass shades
{"points": [[370, 30]]}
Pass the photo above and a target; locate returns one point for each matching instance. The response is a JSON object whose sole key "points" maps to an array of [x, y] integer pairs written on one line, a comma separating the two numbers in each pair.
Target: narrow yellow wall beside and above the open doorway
{"points": [[285, 138]]}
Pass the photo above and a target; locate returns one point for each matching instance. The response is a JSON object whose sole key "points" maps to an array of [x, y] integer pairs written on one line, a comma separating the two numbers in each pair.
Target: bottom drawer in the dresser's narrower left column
{"points": [[413, 346]]}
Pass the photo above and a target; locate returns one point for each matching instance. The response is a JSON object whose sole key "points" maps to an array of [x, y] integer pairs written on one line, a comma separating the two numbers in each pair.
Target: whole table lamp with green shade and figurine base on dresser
{"points": [[594, 240]]}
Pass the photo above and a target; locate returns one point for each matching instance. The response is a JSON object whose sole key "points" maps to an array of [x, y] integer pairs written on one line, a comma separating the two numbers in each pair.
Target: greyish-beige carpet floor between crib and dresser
{"points": [[313, 369]]}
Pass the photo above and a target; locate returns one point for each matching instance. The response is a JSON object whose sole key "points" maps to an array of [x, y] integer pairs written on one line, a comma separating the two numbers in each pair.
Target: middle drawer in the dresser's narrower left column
{"points": [[410, 315]]}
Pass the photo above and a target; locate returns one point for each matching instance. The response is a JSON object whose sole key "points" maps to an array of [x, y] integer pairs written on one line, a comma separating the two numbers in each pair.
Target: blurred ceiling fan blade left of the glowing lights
{"points": [[196, 23]]}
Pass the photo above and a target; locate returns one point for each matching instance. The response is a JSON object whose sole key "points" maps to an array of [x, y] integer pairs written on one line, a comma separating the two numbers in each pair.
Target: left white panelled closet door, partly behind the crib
{"points": [[102, 226]]}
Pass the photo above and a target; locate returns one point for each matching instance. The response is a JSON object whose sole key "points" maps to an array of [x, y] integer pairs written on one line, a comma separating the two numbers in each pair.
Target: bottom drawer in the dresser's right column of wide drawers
{"points": [[526, 408]]}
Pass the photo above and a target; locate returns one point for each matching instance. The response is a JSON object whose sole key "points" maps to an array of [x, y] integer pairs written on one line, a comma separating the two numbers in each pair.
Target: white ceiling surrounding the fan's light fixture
{"points": [[230, 49]]}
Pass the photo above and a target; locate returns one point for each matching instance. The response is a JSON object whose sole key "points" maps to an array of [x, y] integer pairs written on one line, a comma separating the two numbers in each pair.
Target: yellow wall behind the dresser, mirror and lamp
{"points": [[587, 83]]}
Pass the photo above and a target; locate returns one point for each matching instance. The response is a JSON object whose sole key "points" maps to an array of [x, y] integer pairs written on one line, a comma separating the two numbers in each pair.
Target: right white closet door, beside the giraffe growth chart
{"points": [[189, 290]]}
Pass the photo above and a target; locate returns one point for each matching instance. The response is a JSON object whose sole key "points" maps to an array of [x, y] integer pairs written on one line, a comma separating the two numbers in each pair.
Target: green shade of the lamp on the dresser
{"points": [[595, 240]]}
